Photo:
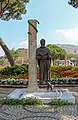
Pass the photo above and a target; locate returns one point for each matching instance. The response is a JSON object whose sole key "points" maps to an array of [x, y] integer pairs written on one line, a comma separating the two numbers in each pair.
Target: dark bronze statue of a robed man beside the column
{"points": [[43, 57]]}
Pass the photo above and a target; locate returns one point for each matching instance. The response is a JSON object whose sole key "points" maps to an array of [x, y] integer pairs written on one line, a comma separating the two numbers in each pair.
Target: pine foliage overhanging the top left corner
{"points": [[12, 9]]}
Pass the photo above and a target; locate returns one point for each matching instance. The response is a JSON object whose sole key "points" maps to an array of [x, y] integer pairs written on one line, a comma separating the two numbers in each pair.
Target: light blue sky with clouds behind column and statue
{"points": [[58, 24]]}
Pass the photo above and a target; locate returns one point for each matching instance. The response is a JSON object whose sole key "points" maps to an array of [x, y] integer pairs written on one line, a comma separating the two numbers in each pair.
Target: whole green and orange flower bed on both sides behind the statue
{"points": [[21, 71]]}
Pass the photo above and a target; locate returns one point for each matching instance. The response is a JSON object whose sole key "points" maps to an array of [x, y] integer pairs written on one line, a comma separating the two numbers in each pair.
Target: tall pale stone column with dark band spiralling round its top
{"points": [[32, 37]]}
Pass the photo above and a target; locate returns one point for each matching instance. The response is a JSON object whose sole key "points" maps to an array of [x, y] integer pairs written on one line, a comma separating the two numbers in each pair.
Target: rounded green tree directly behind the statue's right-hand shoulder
{"points": [[56, 52]]}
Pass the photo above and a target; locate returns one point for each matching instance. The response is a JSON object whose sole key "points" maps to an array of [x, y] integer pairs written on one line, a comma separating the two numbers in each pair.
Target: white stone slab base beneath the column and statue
{"points": [[45, 97]]}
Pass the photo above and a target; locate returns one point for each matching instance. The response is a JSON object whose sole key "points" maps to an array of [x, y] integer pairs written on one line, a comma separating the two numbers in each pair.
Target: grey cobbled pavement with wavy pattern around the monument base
{"points": [[8, 112]]}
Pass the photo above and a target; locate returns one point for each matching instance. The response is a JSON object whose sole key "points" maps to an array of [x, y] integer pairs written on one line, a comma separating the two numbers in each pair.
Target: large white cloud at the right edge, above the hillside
{"points": [[69, 33]]}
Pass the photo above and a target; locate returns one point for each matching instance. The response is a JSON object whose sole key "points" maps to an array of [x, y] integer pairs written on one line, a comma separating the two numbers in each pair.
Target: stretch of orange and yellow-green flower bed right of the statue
{"points": [[64, 71]]}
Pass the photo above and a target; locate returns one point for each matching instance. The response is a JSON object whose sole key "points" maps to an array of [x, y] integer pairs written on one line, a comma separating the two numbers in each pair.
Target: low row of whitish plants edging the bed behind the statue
{"points": [[54, 81]]}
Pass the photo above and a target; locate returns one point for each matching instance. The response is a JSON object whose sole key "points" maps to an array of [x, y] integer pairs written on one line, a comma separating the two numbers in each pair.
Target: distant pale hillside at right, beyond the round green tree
{"points": [[69, 48]]}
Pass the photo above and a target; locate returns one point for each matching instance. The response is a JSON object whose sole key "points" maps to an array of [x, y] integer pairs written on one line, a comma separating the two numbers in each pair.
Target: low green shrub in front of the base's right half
{"points": [[59, 102]]}
